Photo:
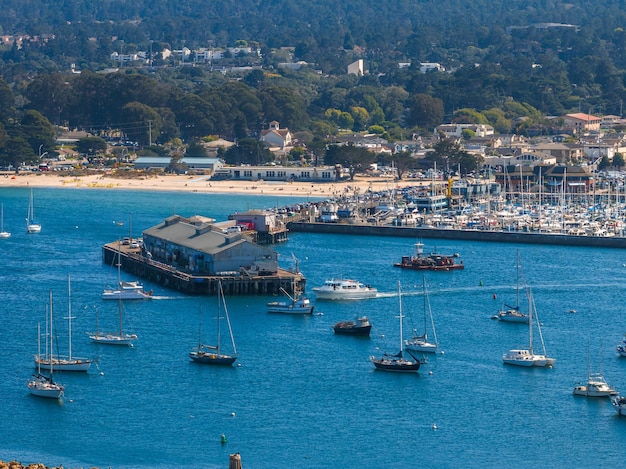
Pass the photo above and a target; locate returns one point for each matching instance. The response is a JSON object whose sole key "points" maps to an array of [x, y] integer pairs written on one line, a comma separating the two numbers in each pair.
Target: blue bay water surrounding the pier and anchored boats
{"points": [[303, 397]]}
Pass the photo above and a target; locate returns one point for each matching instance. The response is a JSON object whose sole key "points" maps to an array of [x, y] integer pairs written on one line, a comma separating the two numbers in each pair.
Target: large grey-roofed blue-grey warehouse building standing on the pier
{"points": [[196, 245]]}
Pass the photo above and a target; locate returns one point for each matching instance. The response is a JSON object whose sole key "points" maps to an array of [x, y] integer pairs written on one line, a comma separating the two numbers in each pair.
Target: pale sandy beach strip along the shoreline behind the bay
{"points": [[199, 183]]}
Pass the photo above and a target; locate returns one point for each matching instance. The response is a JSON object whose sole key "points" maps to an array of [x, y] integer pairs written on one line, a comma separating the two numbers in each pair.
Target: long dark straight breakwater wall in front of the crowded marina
{"points": [[467, 235]]}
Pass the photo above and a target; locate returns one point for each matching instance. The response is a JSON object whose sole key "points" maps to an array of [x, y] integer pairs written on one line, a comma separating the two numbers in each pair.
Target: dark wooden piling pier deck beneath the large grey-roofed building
{"points": [[134, 262]]}
